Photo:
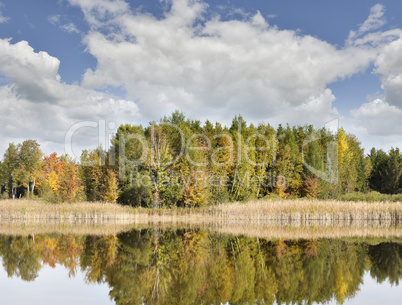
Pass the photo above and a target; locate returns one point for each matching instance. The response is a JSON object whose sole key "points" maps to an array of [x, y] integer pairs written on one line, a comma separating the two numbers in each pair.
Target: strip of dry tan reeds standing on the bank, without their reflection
{"points": [[262, 212]]}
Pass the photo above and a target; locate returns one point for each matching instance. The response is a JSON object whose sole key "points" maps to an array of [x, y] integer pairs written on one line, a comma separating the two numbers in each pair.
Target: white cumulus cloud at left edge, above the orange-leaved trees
{"points": [[37, 104]]}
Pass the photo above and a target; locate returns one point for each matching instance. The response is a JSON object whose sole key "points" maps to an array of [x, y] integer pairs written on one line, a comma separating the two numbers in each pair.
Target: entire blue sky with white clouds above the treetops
{"points": [[72, 71]]}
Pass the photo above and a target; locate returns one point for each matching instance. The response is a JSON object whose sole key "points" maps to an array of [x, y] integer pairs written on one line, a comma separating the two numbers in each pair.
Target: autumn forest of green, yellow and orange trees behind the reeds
{"points": [[179, 162]]}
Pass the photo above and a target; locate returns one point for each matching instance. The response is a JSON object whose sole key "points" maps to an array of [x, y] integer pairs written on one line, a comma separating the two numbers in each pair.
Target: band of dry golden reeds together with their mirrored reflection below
{"points": [[264, 218]]}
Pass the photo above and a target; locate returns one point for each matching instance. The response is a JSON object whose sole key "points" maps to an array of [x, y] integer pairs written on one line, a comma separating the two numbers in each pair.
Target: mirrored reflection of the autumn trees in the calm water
{"points": [[196, 267]]}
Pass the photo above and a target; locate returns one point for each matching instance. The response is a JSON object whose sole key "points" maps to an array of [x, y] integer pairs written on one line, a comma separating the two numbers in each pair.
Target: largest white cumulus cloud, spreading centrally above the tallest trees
{"points": [[205, 65]]}
